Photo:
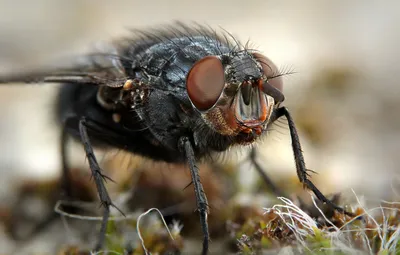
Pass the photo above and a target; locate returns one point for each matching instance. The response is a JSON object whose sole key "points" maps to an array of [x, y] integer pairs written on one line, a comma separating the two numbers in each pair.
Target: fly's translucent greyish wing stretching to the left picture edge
{"points": [[102, 67]]}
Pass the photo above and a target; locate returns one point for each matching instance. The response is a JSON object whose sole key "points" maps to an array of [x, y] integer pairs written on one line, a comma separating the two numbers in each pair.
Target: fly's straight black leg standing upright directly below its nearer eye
{"points": [[201, 199]]}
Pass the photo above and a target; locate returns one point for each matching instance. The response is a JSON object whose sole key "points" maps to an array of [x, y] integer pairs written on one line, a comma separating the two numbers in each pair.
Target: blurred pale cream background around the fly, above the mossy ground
{"points": [[344, 95]]}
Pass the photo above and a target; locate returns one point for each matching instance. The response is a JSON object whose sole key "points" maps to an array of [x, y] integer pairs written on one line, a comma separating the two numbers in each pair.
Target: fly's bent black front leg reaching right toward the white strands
{"points": [[300, 163]]}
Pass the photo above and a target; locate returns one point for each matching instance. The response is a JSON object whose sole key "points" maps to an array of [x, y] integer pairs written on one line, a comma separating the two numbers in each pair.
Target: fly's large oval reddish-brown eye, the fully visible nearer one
{"points": [[205, 82]]}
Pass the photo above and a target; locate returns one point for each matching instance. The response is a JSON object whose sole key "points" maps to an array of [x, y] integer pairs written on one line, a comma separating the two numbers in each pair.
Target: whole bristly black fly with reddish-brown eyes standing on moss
{"points": [[172, 95]]}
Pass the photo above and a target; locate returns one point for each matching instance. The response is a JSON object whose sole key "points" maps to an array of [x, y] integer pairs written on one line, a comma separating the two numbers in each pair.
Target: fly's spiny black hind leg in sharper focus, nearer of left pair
{"points": [[99, 179]]}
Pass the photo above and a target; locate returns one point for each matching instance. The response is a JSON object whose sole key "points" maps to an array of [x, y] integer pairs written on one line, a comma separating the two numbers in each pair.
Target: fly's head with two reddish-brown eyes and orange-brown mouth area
{"points": [[235, 93]]}
